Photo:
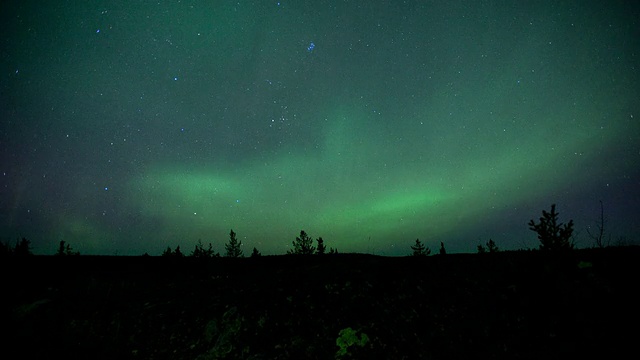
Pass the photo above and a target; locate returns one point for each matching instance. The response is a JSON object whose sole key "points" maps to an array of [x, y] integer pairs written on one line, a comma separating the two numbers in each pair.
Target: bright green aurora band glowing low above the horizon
{"points": [[352, 188]]}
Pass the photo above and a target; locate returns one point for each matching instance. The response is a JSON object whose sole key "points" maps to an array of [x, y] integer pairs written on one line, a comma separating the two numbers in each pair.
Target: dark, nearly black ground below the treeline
{"points": [[510, 305]]}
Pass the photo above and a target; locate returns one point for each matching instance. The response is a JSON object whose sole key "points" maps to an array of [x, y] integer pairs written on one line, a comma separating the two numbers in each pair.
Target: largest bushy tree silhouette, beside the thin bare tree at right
{"points": [[553, 236]]}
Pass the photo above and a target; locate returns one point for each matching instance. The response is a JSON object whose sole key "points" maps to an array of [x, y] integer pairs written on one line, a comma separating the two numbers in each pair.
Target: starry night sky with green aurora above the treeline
{"points": [[130, 126]]}
